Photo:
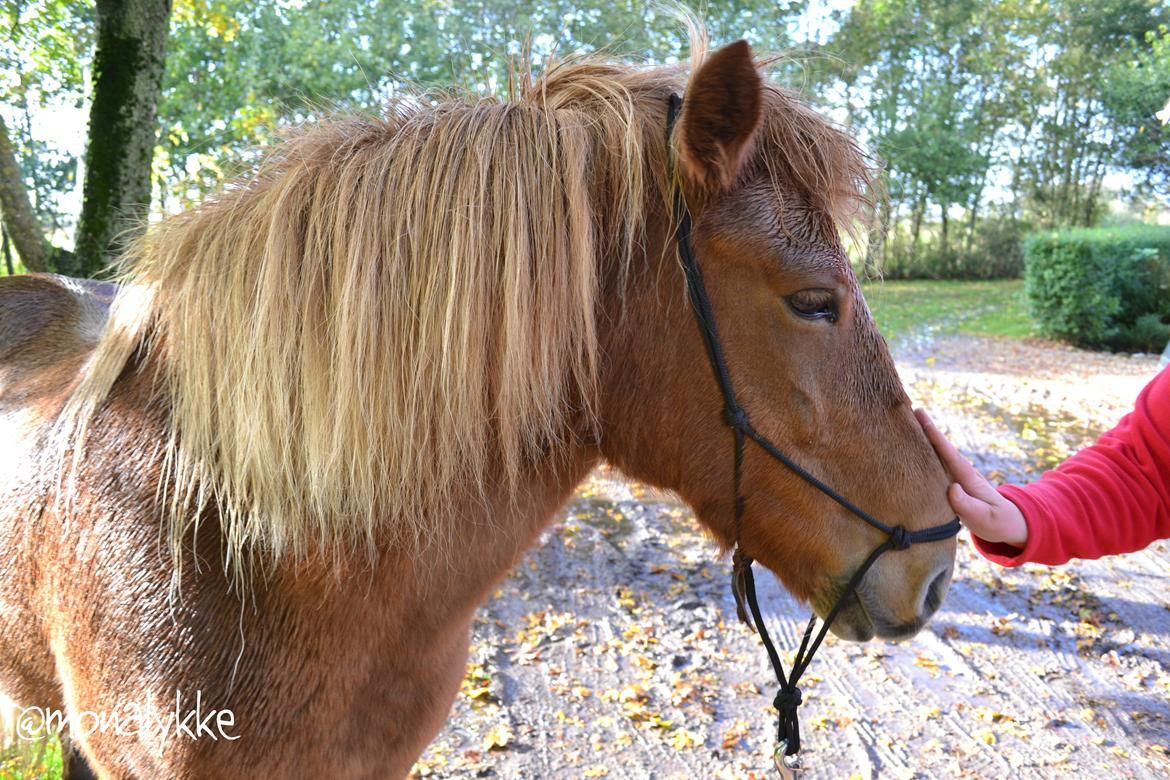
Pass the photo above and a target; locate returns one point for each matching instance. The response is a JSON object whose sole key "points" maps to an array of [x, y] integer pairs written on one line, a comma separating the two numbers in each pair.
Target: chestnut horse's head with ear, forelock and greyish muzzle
{"points": [[767, 183]]}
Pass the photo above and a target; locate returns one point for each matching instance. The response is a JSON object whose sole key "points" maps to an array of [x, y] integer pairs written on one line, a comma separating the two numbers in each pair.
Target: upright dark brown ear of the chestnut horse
{"points": [[721, 114]]}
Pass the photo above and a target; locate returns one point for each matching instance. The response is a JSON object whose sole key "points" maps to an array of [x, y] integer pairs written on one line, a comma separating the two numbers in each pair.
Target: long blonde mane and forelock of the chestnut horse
{"points": [[395, 314]]}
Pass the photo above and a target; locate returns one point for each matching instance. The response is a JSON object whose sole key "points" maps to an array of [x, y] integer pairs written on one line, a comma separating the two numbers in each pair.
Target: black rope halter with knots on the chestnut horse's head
{"points": [[744, 582]]}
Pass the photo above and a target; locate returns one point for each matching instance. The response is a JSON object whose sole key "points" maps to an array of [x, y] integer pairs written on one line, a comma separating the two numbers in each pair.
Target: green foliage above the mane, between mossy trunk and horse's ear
{"points": [[240, 71]]}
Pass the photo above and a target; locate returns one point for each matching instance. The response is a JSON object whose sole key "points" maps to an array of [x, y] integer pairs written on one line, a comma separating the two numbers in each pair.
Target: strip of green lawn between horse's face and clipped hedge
{"points": [[997, 308]]}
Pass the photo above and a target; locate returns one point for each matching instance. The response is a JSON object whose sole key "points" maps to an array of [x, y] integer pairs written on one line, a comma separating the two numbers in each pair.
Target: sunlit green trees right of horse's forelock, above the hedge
{"points": [[1028, 105]]}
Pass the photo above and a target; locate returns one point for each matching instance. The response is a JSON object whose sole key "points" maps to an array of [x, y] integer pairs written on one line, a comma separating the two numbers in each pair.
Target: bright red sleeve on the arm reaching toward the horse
{"points": [[1110, 499]]}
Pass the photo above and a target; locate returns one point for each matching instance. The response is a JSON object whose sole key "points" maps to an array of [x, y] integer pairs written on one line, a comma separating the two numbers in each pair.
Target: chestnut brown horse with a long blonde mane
{"points": [[331, 408]]}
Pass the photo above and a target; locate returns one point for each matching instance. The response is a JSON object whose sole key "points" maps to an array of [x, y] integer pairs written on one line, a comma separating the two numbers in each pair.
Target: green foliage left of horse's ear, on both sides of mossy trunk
{"points": [[240, 72]]}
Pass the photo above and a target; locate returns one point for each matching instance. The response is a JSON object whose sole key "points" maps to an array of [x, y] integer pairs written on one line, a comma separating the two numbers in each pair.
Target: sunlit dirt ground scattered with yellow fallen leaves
{"points": [[614, 651]]}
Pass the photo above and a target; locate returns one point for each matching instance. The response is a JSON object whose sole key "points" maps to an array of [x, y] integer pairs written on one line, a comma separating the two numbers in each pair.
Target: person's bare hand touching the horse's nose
{"points": [[983, 510]]}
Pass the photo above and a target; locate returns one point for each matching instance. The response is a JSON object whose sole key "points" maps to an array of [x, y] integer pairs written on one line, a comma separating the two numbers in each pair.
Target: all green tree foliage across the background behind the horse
{"points": [[992, 120]]}
